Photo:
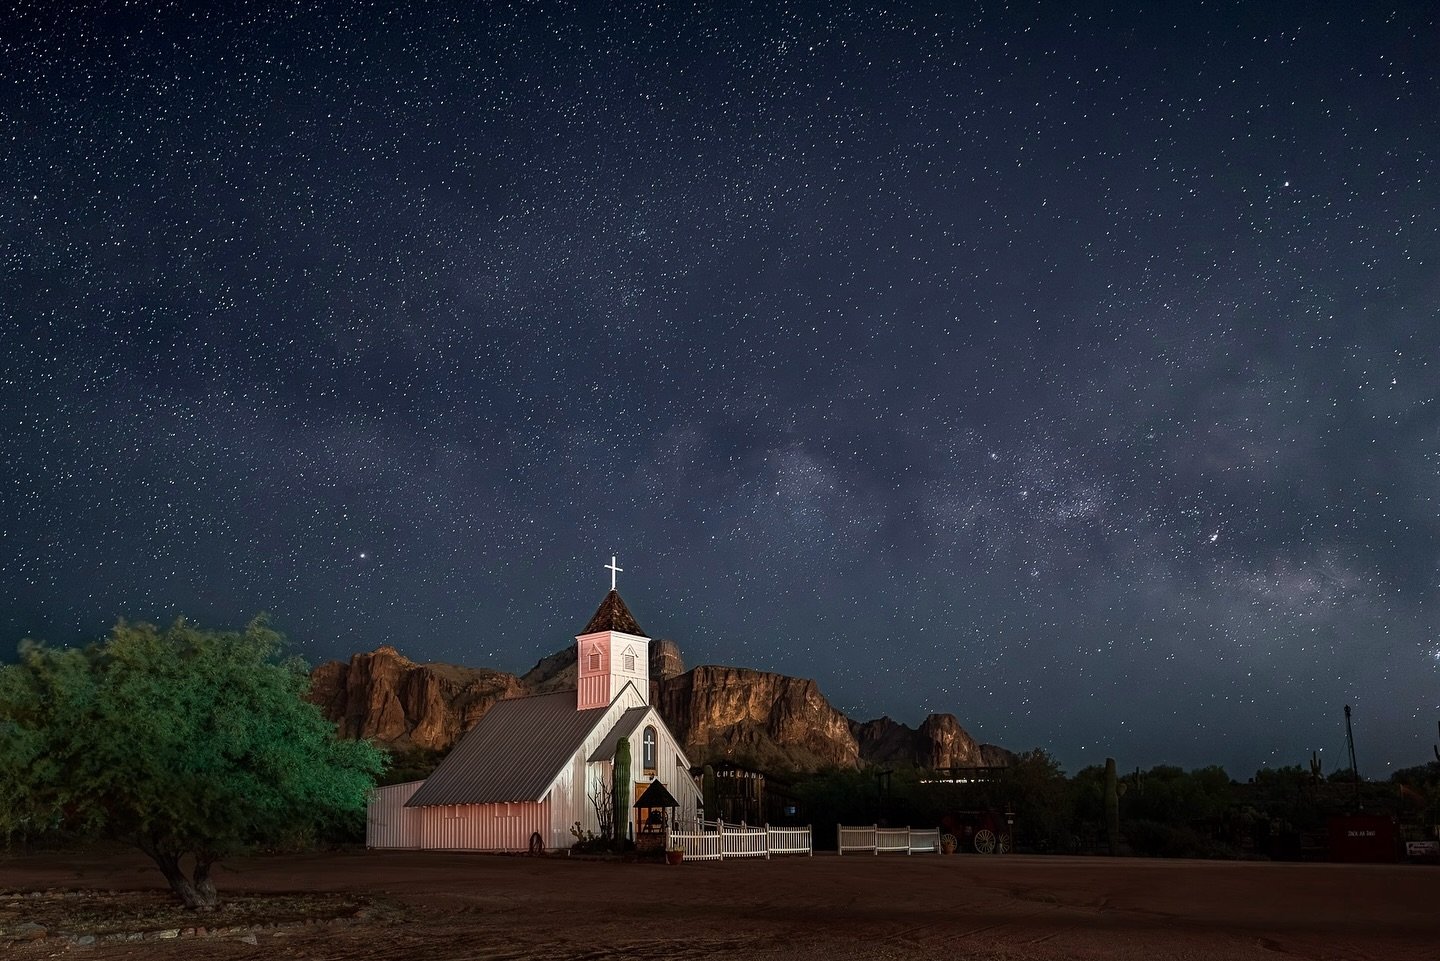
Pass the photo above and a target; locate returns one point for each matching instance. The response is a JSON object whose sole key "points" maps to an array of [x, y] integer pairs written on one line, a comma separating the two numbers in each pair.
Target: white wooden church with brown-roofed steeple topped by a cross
{"points": [[522, 777]]}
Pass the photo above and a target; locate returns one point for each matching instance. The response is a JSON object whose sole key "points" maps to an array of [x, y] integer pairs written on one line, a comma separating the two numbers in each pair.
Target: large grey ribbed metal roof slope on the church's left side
{"points": [[513, 754]]}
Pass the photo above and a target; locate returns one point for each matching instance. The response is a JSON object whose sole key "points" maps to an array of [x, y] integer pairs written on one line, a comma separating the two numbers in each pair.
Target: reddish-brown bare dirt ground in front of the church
{"points": [[1016, 908]]}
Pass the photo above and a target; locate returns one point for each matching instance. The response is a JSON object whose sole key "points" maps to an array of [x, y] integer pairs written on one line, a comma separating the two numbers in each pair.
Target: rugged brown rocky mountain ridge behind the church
{"points": [[757, 718]]}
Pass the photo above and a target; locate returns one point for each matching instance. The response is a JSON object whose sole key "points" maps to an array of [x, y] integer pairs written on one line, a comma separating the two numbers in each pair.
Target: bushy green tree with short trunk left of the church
{"points": [[189, 744]]}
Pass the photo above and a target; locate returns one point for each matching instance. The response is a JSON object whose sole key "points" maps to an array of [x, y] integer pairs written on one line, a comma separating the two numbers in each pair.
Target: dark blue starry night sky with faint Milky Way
{"points": [[1068, 368]]}
